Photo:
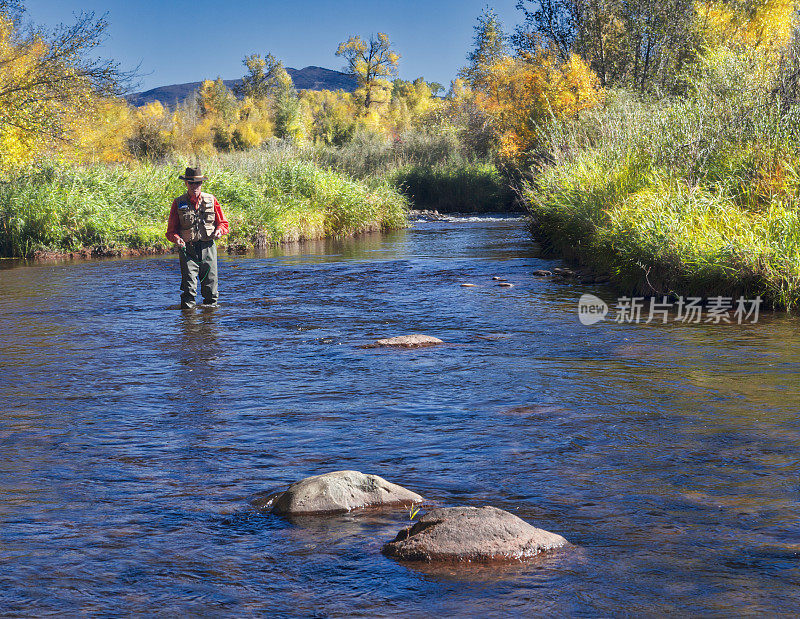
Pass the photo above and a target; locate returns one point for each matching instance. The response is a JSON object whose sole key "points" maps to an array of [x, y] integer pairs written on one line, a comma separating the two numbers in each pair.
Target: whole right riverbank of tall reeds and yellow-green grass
{"points": [[696, 195]]}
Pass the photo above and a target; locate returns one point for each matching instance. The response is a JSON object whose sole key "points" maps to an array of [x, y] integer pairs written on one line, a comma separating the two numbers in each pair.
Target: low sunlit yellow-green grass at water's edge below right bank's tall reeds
{"points": [[658, 233]]}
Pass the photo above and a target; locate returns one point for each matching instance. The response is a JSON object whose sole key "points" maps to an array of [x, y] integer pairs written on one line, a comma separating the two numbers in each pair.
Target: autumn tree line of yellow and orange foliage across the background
{"points": [[561, 60]]}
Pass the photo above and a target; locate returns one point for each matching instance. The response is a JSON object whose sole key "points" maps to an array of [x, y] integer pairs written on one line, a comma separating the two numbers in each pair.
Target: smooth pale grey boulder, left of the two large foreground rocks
{"points": [[341, 491]]}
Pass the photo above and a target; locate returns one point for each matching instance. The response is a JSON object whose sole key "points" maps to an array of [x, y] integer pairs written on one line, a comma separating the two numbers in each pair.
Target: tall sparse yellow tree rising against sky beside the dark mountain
{"points": [[371, 62]]}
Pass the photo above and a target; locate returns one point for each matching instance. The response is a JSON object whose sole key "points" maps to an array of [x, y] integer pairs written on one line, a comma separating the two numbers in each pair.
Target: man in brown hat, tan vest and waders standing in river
{"points": [[195, 222]]}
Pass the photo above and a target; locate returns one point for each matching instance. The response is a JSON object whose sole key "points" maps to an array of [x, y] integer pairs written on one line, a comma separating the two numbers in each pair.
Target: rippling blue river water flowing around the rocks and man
{"points": [[132, 437]]}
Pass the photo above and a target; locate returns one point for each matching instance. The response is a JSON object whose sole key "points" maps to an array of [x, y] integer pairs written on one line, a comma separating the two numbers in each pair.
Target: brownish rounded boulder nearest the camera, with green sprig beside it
{"points": [[471, 534]]}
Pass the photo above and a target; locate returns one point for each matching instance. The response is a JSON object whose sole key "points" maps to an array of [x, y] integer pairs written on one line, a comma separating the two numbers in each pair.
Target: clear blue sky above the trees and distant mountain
{"points": [[180, 41]]}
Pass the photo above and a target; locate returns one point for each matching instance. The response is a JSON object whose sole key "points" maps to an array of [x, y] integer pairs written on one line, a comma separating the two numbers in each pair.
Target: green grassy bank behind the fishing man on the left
{"points": [[267, 199]]}
